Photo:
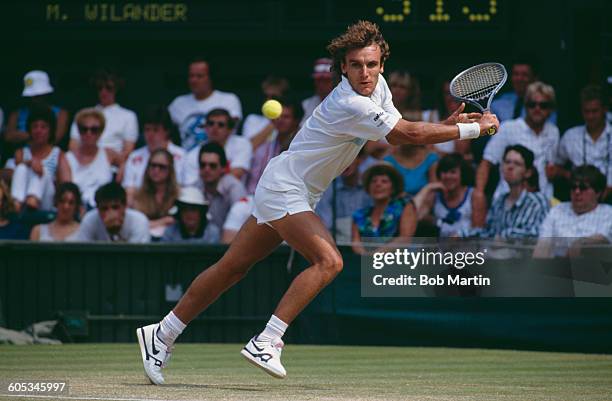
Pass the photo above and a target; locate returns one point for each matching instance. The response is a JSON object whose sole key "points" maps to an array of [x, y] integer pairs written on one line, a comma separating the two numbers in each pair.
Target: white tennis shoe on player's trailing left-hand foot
{"points": [[155, 354]]}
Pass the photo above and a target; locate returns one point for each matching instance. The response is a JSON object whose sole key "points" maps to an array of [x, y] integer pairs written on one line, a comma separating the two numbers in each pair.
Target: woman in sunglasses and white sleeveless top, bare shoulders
{"points": [[89, 163]]}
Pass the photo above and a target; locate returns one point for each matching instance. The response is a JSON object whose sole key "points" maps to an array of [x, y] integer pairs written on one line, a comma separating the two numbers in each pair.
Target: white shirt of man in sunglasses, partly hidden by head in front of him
{"points": [[238, 151]]}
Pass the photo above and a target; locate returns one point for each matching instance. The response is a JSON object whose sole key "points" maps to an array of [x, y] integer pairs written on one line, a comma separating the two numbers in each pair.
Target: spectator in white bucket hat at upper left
{"points": [[36, 90]]}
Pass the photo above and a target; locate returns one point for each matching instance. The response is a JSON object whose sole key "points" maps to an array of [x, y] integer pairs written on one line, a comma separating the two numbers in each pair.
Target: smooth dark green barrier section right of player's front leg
{"points": [[340, 315]]}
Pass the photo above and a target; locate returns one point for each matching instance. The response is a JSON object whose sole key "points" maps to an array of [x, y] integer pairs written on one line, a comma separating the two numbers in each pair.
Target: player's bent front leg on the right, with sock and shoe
{"points": [[306, 234]]}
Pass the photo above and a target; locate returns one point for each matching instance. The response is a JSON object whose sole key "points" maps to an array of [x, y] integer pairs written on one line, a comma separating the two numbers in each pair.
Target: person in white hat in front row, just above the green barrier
{"points": [[192, 224]]}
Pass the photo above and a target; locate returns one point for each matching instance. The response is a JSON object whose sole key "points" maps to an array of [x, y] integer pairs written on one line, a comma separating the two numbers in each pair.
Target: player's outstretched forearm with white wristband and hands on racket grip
{"points": [[458, 126]]}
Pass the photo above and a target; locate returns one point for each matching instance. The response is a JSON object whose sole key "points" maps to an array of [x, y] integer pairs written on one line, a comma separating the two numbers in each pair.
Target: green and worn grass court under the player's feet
{"points": [[218, 372]]}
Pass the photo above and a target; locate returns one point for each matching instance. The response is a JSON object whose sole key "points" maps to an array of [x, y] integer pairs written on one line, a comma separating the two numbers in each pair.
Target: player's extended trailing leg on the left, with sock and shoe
{"points": [[252, 243]]}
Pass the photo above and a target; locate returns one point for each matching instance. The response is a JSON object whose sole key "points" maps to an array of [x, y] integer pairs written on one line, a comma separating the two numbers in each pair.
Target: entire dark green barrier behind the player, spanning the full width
{"points": [[122, 286]]}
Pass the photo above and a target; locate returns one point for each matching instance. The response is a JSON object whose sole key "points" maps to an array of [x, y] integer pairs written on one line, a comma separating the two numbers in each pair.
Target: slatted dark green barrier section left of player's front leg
{"points": [[122, 286]]}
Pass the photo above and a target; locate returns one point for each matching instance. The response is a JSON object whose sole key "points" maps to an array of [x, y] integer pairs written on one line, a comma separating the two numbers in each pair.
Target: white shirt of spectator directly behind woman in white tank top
{"points": [[121, 125]]}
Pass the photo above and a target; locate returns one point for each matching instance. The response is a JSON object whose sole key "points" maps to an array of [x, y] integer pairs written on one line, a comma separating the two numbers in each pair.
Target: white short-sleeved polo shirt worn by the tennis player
{"points": [[331, 139]]}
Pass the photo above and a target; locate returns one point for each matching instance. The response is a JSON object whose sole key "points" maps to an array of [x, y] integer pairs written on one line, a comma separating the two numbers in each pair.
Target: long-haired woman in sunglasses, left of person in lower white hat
{"points": [[158, 192]]}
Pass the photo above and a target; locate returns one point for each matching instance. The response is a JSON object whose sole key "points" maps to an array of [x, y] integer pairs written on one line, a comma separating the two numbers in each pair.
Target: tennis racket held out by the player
{"points": [[478, 85]]}
